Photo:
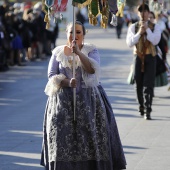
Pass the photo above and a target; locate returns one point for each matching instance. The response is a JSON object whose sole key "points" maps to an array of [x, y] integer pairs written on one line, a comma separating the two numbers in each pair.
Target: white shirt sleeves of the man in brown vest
{"points": [[132, 38]]}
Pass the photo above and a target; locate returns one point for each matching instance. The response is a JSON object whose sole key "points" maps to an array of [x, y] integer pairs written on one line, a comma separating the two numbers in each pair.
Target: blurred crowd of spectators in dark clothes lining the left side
{"points": [[23, 34]]}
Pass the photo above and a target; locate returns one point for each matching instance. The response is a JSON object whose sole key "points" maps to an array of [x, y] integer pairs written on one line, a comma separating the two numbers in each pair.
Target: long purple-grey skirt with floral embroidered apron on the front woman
{"points": [[91, 142]]}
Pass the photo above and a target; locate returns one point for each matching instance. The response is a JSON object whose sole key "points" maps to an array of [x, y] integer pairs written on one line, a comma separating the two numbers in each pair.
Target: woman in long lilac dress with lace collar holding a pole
{"points": [[91, 141]]}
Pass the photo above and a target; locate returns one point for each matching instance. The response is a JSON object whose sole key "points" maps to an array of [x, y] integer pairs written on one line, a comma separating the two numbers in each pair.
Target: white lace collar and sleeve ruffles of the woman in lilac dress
{"points": [[90, 80]]}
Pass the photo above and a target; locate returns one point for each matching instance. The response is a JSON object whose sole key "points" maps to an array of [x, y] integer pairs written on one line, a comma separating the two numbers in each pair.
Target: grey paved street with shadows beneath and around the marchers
{"points": [[22, 102]]}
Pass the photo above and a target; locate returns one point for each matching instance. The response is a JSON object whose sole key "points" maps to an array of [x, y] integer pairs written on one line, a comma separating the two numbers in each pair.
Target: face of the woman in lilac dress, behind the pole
{"points": [[79, 37]]}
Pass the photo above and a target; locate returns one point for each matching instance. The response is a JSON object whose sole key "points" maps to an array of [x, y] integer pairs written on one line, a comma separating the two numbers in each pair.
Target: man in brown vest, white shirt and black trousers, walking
{"points": [[144, 36]]}
